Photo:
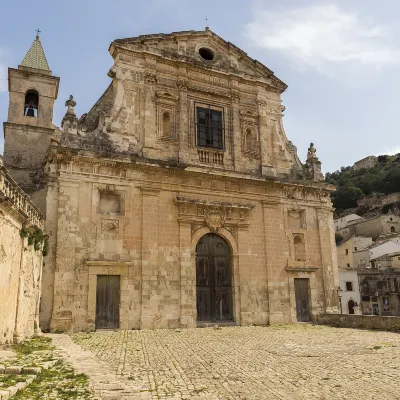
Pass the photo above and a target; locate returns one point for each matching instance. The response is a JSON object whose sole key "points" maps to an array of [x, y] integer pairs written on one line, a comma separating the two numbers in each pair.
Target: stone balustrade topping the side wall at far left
{"points": [[17, 199]]}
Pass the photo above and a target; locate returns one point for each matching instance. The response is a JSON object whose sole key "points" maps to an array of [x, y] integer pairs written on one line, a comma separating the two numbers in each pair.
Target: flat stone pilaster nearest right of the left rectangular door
{"points": [[150, 265]]}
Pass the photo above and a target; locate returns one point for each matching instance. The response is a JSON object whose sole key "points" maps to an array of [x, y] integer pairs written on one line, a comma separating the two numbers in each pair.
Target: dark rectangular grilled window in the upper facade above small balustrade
{"points": [[209, 128]]}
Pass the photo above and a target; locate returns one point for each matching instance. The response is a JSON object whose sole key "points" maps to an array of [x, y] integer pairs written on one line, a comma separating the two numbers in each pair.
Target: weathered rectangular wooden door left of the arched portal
{"points": [[107, 302]]}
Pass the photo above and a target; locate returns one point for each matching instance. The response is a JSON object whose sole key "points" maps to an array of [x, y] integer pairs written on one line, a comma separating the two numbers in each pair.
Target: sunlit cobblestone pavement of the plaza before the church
{"points": [[287, 362]]}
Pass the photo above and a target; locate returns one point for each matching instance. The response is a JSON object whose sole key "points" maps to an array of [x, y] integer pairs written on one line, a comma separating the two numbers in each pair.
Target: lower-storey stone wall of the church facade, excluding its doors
{"points": [[150, 239]]}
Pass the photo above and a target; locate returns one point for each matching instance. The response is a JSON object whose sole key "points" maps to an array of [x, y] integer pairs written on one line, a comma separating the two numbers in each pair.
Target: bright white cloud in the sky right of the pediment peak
{"points": [[323, 35]]}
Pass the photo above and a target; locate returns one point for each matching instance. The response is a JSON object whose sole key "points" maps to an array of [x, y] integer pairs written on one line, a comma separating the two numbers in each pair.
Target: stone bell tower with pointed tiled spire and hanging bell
{"points": [[29, 127]]}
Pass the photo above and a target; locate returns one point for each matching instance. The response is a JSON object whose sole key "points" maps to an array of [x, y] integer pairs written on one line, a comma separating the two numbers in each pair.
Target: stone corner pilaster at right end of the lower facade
{"points": [[328, 258]]}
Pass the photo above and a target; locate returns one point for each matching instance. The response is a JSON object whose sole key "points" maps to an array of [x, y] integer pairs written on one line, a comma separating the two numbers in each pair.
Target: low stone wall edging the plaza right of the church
{"points": [[359, 321]]}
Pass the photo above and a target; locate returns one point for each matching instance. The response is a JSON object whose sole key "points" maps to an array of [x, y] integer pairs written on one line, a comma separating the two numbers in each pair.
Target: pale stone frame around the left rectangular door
{"points": [[108, 268]]}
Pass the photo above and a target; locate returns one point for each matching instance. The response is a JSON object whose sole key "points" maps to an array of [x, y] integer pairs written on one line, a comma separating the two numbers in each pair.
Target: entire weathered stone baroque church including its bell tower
{"points": [[177, 200]]}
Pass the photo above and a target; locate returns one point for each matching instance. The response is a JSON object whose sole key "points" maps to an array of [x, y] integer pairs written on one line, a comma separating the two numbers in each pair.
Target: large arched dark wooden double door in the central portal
{"points": [[213, 279]]}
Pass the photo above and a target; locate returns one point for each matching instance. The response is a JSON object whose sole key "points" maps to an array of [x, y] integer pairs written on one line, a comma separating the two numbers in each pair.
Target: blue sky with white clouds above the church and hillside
{"points": [[341, 59]]}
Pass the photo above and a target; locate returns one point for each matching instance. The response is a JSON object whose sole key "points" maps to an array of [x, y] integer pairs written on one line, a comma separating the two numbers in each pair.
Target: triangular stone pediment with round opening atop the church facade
{"points": [[202, 48]]}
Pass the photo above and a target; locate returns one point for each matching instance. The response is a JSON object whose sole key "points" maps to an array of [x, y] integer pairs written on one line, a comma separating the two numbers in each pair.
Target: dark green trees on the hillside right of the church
{"points": [[384, 177]]}
